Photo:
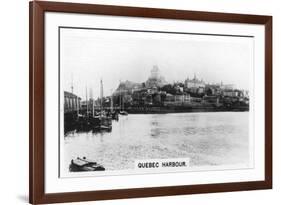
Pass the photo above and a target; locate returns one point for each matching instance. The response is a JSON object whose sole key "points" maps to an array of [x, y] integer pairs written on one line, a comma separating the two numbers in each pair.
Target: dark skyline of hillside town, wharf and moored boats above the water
{"points": [[154, 96]]}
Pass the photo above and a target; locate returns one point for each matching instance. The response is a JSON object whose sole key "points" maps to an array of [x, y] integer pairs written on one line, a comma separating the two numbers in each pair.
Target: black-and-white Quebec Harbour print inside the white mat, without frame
{"points": [[136, 102]]}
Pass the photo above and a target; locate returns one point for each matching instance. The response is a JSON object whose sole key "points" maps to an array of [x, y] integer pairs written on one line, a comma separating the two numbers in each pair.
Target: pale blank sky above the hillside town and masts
{"points": [[89, 55]]}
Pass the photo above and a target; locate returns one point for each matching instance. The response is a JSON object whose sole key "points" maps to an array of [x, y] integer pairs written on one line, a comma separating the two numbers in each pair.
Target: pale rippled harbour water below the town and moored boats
{"points": [[211, 138]]}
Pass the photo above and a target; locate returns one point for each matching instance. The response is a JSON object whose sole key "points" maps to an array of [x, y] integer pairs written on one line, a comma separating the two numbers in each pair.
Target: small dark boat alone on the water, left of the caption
{"points": [[82, 164]]}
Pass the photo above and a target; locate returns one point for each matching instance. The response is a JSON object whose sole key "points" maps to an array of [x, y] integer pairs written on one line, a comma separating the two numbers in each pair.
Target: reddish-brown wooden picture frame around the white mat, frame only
{"points": [[37, 99]]}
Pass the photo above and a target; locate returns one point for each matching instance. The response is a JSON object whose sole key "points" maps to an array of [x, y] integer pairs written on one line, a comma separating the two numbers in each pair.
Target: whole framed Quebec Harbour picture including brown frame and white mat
{"points": [[139, 102]]}
